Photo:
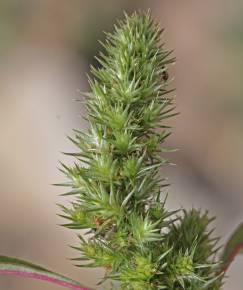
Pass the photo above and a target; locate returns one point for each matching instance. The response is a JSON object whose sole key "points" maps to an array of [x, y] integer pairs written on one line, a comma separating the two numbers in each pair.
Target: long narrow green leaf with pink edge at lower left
{"points": [[16, 267]]}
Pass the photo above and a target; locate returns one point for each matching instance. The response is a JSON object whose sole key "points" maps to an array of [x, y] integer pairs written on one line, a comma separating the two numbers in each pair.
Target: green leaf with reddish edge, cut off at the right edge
{"points": [[233, 247]]}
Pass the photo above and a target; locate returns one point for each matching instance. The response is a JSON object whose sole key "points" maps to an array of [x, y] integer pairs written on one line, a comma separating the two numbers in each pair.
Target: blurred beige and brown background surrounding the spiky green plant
{"points": [[46, 48]]}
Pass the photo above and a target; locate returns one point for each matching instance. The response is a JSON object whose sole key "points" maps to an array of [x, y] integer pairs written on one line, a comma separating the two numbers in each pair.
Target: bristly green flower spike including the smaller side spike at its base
{"points": [[118, 195]]}
